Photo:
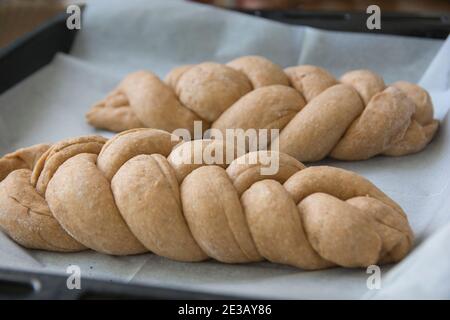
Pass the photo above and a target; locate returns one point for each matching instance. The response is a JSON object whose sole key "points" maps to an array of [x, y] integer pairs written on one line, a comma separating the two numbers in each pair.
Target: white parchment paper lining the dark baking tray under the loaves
{"points": [[118, 37]]}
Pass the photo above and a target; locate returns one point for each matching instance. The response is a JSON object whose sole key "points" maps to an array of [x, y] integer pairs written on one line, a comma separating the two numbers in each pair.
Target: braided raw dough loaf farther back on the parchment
{"points": [[354, 118]]}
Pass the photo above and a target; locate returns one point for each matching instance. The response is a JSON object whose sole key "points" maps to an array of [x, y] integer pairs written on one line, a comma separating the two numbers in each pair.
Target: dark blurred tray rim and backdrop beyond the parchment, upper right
{"points": [[419, 18]]}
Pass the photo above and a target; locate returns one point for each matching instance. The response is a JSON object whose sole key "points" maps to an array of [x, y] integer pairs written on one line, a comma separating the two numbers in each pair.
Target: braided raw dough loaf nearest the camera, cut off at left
{"points": [[137, 193]]}
